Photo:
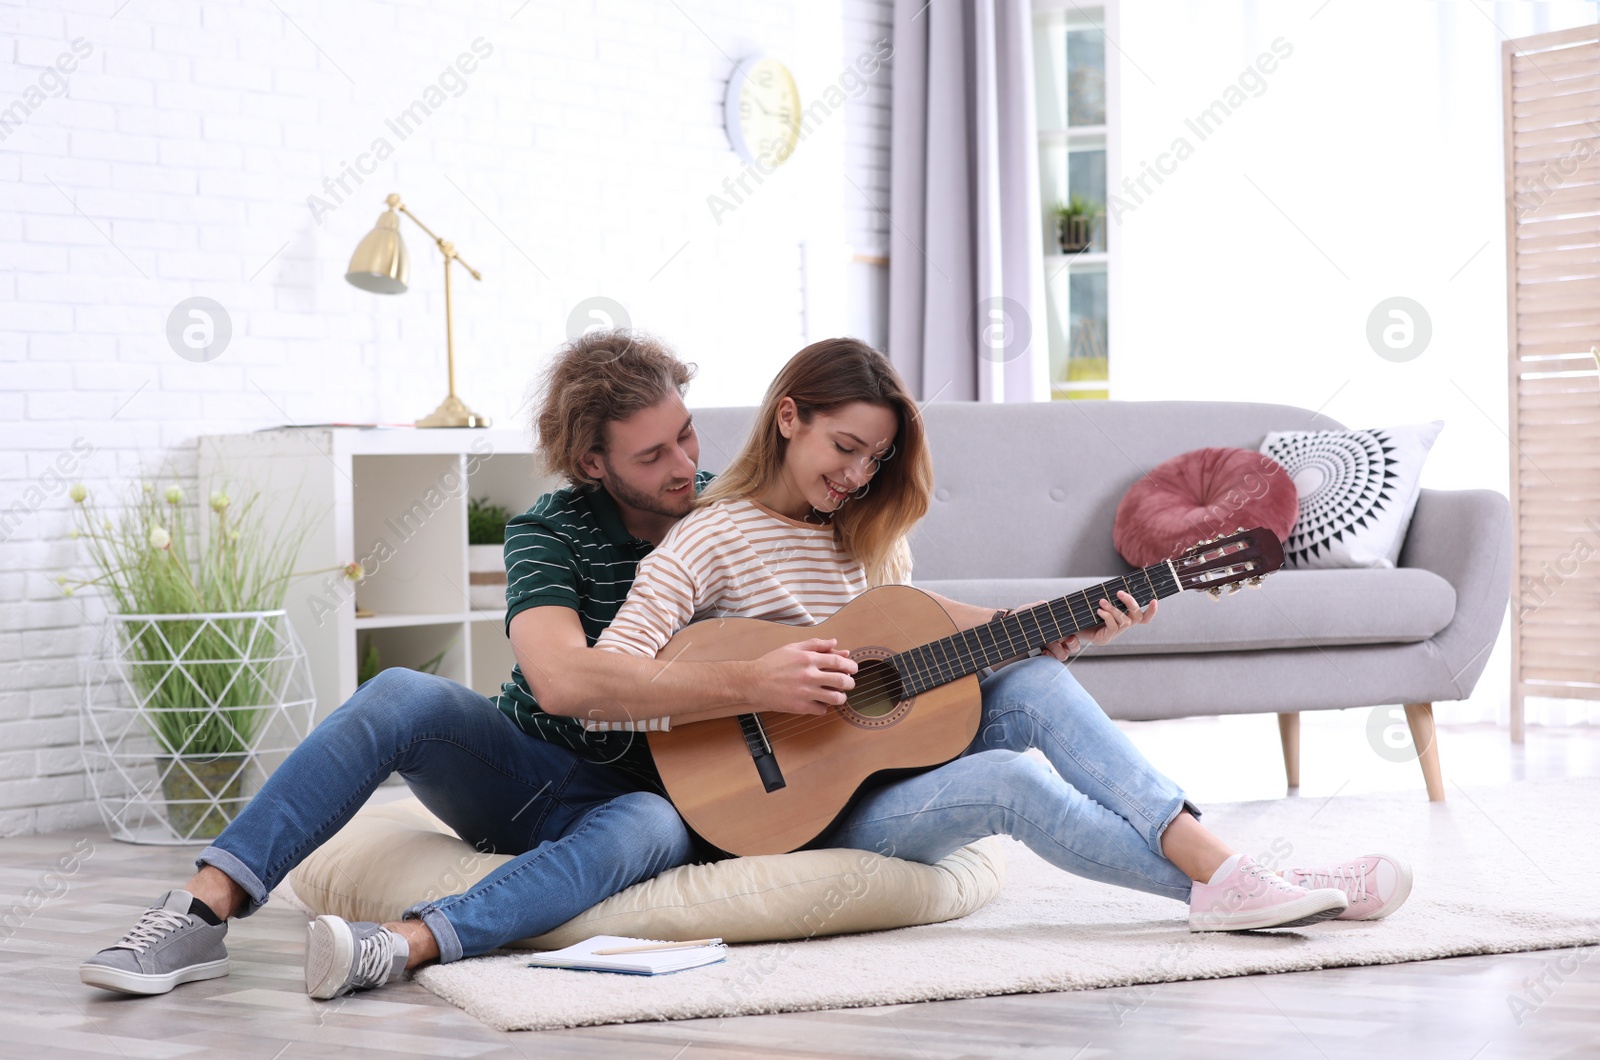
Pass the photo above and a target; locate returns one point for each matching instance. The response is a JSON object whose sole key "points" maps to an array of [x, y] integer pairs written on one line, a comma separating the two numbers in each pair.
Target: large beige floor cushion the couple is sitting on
{"points": [[391, 857]]}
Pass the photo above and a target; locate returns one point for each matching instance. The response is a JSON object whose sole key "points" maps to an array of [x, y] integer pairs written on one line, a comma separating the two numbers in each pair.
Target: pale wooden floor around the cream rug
{"points": [[1458, 1008]]}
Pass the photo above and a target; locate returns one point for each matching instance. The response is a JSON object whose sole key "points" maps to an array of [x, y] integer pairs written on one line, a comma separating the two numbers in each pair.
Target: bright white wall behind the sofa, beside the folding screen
{"points": [[1367, 167]]}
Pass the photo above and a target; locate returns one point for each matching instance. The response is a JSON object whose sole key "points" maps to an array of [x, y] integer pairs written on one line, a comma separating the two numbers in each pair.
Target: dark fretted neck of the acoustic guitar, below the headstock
{"points": [[967, 652]]}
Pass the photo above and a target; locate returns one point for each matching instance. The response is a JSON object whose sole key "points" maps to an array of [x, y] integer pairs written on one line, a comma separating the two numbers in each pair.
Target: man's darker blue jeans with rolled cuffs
{"points": [[580, 832]]}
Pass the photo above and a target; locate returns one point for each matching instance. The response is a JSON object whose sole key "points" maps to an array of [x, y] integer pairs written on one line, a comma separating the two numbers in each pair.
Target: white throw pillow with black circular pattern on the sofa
{"points": [[1358, 491]]}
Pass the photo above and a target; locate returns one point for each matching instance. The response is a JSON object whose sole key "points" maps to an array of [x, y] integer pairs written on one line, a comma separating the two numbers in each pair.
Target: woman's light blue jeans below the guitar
{"points": [[1100, 814]]}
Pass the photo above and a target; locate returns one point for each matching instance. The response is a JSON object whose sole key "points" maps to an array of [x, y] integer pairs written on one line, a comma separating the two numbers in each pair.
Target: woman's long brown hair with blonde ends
{"points": [[822, 379]]}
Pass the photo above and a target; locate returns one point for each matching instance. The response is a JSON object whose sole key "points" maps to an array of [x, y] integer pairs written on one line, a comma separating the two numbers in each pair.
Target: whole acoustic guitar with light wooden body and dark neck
{"points": [[774, 782]]}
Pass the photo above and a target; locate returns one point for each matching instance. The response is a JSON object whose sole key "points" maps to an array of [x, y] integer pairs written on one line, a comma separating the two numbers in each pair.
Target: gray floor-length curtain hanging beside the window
{"points": [[967, 289]]}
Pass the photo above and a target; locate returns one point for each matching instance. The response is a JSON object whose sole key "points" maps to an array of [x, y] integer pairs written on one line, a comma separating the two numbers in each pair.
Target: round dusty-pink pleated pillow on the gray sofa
{"points": [[1201, 496]]}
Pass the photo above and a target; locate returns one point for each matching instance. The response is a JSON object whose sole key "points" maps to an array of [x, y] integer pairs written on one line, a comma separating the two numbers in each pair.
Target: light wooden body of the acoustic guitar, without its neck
{"points": [[710, 768]]}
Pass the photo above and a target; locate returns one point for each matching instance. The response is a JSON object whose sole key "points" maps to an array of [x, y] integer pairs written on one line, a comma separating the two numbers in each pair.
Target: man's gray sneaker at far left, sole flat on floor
{"points": [[172, 944]]}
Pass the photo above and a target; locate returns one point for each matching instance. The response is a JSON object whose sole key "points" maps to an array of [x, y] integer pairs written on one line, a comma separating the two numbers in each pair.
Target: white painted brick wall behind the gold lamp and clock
{"points": [[178, 163]]}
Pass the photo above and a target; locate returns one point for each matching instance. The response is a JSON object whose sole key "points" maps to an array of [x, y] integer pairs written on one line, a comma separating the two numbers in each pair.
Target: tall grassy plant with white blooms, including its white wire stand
{"points": [[198, 660]]}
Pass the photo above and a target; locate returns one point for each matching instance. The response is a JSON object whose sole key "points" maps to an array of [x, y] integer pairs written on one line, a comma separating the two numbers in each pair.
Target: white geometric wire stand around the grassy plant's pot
{"points": [[186, 715]]}
